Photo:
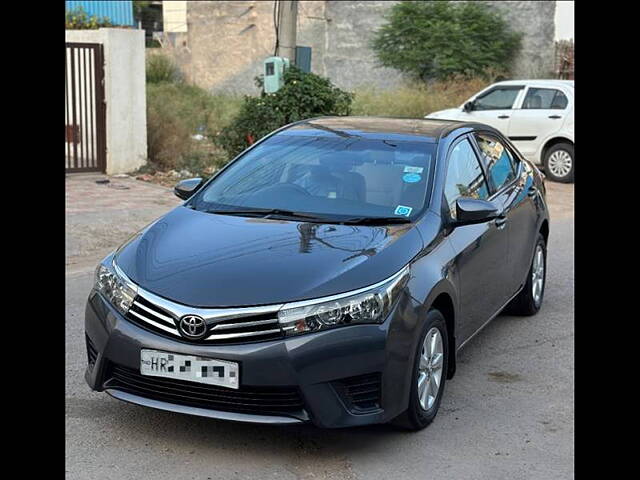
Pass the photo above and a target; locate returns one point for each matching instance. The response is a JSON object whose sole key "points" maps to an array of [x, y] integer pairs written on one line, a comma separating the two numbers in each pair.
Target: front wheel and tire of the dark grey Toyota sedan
{"points": [[416, 417]]}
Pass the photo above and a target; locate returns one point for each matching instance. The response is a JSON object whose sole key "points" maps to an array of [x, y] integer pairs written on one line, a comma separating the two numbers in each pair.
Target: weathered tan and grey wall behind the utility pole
{"points": [[226, 41]]}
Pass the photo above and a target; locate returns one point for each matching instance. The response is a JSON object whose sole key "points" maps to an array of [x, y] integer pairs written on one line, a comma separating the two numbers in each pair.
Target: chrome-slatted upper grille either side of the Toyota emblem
{"points": [[256, 327]]}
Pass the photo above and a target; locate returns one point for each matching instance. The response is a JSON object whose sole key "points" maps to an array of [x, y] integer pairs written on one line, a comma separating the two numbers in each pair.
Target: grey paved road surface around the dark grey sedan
{"points": [[508, 413]]}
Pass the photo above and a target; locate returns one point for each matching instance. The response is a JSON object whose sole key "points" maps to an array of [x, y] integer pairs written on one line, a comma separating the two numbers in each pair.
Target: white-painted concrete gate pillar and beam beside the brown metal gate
{"points": [[125, 94]]}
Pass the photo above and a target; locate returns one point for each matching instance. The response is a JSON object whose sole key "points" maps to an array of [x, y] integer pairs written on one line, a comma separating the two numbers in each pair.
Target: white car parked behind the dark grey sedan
{"points": [[536, 115]]}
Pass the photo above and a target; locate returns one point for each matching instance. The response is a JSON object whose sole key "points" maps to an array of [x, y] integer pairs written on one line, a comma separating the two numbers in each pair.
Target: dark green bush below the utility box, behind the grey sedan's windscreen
{"points": [[303, 95]]}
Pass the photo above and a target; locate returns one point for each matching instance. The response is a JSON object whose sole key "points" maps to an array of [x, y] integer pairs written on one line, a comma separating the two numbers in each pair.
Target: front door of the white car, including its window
{"points": [[495, 106]]}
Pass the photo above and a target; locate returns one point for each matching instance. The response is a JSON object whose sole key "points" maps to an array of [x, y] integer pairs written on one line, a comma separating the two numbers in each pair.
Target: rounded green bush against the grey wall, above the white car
{"points": [[438, 39]]}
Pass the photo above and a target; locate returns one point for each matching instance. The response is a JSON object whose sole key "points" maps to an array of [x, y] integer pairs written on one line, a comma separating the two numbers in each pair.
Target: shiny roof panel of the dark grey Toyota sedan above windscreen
{"points": [[378, 128]]}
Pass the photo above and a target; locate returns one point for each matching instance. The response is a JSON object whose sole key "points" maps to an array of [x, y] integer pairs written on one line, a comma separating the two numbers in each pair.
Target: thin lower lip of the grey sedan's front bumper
{"points": [[202, 412]]}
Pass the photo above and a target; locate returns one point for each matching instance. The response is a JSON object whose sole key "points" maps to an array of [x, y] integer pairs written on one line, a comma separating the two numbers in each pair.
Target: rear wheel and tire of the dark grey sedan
{"points": [[529, 300]]}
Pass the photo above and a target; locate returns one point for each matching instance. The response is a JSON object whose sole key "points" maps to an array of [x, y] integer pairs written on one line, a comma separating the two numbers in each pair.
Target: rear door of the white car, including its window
{"points": [[543, 112]]}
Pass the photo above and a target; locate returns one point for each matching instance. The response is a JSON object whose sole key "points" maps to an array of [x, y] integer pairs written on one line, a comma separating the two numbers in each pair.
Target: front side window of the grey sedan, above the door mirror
{"points": [[464, 176]]}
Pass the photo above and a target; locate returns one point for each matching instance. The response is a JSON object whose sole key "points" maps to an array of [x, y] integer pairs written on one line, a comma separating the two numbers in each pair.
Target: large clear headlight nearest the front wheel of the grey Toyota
{"points": [[367, 305]]}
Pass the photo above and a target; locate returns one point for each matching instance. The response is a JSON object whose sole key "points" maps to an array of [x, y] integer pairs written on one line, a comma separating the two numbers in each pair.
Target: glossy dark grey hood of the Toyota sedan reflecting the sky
{"points": [[207, 260]]}
